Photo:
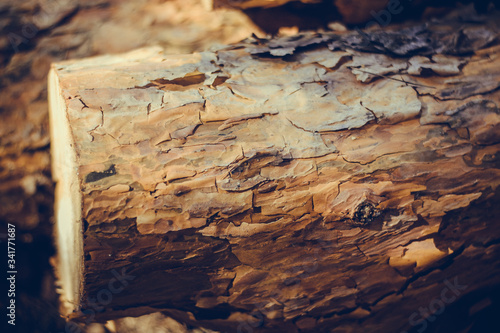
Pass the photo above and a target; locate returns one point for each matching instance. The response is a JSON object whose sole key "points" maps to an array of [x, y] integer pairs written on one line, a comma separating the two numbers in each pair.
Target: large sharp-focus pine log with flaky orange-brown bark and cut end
{"points": [[318, 182]]}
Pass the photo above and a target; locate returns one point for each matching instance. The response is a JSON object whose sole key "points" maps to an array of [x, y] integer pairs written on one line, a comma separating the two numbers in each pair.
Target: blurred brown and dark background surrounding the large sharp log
{"points": [[35, 33]]}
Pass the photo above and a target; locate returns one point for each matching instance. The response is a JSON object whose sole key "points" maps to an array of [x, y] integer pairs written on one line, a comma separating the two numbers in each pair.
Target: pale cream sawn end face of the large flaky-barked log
{"points": [[68, 227]]}
